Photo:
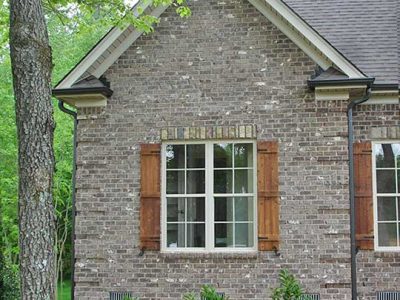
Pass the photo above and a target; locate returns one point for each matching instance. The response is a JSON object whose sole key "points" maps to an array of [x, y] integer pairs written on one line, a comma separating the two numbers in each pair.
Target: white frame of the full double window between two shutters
{"points": [[209, 199]]}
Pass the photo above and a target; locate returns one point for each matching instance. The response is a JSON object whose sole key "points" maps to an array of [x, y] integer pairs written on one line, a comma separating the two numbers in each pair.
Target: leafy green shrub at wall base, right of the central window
{"points": [[289, 287]]}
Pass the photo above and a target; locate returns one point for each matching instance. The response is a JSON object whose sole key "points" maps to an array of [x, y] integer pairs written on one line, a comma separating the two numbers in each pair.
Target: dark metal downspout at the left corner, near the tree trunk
{"points": [[74, 115]]}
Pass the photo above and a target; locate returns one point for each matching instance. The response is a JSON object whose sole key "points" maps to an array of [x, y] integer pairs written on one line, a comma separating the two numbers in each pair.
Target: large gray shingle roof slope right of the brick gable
{"points": [[365, 31]]}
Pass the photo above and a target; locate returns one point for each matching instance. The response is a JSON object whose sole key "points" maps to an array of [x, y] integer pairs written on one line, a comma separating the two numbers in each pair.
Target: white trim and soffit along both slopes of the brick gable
{"points": [[116, 41]]}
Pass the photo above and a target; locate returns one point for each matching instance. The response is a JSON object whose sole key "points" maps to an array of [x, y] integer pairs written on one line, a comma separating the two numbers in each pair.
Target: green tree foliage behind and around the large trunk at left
{"points": [[73, 26]]}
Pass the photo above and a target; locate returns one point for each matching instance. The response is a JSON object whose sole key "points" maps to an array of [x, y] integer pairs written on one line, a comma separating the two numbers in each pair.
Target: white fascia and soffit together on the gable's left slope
{"points": [[108, 50]]}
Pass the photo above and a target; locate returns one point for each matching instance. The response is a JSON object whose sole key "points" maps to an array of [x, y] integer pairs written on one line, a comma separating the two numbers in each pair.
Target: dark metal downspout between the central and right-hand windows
{"points": [[350, 108]]}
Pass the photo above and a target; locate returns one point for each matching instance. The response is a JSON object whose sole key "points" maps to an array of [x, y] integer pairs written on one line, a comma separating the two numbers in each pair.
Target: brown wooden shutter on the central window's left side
{"points": [[150, 196]]}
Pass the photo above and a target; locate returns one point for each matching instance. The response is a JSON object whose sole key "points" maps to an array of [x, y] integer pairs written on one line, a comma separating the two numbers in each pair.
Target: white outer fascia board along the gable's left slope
{"points": [[97, 51]]}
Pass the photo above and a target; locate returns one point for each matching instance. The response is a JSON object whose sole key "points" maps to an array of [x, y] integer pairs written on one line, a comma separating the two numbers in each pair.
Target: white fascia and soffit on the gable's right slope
{"points": [[315, 46]]}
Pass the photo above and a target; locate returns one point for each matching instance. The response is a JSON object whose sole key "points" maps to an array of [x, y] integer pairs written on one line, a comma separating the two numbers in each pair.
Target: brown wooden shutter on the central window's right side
{"points": [[268, 195]]}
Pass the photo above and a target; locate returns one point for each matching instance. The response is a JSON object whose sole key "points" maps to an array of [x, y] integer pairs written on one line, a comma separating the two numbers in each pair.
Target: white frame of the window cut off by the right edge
{"points": [[375, 199]]}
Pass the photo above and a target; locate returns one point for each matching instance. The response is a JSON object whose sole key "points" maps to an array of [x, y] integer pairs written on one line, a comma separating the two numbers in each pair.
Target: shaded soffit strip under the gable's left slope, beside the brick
{"points": [[128, 41]]}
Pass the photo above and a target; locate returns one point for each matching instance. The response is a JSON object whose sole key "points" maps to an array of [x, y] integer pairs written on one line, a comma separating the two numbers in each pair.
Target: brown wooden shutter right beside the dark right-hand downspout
{"points": [[363, 195]]}
